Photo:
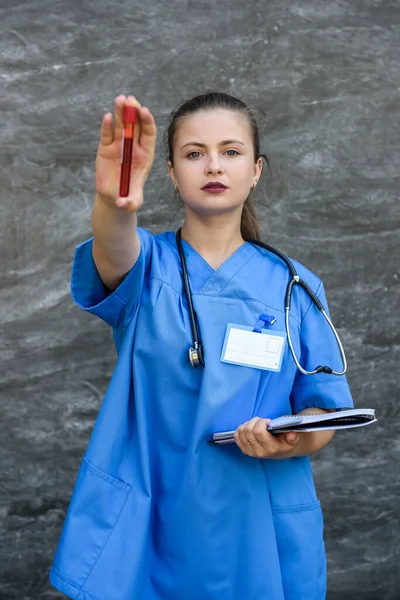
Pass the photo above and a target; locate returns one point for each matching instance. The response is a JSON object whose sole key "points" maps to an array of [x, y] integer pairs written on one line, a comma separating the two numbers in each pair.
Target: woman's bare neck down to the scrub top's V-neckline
{"points": [[214, 238]]}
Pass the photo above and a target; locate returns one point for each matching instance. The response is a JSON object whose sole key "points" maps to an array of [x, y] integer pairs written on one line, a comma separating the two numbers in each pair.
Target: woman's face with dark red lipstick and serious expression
{"points": [[214, 146]]}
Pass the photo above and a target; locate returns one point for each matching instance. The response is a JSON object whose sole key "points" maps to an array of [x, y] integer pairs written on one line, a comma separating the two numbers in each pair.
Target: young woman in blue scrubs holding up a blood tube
{"points": [[158, 512]]}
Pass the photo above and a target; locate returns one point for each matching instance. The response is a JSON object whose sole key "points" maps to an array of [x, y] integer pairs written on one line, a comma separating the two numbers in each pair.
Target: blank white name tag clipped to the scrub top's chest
{"points": [[243, 346]]}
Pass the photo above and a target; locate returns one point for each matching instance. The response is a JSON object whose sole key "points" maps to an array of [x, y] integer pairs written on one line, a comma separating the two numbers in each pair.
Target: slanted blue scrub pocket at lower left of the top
{"points": [[94, 510]]}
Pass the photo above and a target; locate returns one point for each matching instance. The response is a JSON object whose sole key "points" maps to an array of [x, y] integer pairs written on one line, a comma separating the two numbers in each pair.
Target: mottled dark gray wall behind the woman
{"points": [[327, 75]]}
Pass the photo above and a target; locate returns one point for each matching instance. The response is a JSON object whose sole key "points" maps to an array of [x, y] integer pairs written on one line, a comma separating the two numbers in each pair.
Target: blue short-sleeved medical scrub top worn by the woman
{"points": [[158, 512]]}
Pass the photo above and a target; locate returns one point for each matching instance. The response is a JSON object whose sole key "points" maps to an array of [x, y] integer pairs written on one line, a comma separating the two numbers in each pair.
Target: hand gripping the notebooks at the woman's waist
{"points": [[254, 440]]}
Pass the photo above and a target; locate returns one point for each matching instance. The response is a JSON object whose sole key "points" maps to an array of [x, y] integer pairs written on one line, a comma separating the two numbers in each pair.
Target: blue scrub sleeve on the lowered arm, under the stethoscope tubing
{"points": [[319, 347]]}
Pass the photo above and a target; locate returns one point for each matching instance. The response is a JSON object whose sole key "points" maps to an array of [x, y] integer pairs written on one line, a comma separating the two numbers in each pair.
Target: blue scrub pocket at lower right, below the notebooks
{"points": [[299, 537]]}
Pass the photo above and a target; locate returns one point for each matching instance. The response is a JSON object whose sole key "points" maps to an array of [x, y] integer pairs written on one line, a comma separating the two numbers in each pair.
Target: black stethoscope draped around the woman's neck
{"points": [[196, 354]]}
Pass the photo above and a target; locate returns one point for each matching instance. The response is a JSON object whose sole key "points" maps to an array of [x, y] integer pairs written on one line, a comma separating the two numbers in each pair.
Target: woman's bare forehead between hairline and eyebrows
{"points": [[213, 125]]}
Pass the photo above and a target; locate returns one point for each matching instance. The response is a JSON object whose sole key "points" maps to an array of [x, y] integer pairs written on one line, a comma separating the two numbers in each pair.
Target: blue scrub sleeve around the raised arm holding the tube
{"points": [[90, 294]]}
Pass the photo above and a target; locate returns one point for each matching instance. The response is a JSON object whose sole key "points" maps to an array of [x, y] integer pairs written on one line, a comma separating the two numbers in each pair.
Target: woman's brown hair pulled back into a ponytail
{"points": [[249, 227]]}
